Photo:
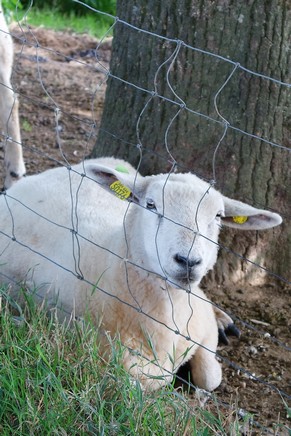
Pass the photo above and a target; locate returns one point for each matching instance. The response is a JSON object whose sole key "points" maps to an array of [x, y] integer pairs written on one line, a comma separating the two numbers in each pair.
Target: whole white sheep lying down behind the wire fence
{"points": [[130, 251]]}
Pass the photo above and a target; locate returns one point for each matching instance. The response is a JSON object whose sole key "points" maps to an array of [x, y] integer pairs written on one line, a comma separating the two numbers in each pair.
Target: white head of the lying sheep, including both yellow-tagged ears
{"points": [[173, 221]]}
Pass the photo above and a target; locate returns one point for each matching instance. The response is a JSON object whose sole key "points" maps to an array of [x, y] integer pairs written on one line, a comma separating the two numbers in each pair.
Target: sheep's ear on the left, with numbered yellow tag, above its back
{"points": [[120, 183]]}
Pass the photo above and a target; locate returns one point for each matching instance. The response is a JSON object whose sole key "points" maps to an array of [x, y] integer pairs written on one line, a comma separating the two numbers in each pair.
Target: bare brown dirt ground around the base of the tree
{"points": [[61, 101]]}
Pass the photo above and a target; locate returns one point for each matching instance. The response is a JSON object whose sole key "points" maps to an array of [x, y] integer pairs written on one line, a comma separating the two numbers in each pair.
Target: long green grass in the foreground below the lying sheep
{"points": [[53, 381]]}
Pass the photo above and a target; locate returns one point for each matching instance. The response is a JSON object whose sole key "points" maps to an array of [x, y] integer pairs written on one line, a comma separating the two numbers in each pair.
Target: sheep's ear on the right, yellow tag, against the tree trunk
{"points": [[242, 216]]}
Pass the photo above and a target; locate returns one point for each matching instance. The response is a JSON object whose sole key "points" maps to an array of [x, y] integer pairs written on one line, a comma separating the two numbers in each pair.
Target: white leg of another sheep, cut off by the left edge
{"points": [[9, 119]]}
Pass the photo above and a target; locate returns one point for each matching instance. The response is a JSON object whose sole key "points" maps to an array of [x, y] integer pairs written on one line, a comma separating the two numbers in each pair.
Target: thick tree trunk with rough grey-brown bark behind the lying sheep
{"points": [[254, 35]]}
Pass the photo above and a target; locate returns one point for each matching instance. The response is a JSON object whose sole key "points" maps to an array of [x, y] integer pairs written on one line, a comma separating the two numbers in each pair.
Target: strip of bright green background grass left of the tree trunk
{"points": [[92, 23]]}
